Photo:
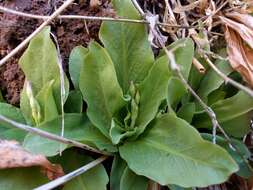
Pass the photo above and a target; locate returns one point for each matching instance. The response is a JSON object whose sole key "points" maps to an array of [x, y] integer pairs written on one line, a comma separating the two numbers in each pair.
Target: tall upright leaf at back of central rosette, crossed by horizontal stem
{"points": [[127, 45]]}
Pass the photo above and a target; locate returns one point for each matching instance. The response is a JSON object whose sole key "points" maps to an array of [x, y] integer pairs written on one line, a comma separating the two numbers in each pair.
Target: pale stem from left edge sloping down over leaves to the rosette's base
{"points": [[50, 136]]}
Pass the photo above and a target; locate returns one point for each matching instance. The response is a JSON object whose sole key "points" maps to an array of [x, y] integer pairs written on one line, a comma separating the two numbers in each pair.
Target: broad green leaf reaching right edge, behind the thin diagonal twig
{"points": [[233, 114]]}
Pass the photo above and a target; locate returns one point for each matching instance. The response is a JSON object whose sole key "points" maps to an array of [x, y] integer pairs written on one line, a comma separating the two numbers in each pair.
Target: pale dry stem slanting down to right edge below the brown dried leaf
{"points": [[226, 78]]}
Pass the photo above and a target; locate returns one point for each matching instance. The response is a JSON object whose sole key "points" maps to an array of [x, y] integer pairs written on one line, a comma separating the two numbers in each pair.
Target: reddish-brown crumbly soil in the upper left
{"points": [[70, 33]]}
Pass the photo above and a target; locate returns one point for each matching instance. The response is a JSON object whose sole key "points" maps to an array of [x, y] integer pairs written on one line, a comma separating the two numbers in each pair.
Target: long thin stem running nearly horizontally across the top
{"points": [[42, 17]]}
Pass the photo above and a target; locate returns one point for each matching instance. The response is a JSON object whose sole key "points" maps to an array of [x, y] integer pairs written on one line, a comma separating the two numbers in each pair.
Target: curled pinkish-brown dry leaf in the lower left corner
{"points": [[13, 156]]}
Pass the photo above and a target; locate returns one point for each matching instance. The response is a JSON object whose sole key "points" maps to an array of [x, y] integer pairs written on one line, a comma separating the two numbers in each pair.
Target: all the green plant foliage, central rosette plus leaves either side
{"points": [[138, 111]]}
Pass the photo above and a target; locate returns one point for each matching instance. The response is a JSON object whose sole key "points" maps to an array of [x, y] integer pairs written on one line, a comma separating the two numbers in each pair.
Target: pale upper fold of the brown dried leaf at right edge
{"points": [[245, 32]]}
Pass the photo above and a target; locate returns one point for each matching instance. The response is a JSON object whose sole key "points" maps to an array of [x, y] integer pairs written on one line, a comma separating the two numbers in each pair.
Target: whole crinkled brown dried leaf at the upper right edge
{"points": [[239, 37]]}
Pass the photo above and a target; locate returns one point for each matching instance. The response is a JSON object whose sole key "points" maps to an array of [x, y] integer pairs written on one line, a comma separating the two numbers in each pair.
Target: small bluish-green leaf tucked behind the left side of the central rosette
{"points": [[76, 60]]}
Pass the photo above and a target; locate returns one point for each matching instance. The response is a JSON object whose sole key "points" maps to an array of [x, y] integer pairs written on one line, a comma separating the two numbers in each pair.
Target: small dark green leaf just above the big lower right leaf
{"points": [[186, 111]]}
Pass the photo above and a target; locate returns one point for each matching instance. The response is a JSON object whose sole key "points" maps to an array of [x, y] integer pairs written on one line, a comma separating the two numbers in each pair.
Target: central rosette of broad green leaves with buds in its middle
{"points": [[125, 88]]}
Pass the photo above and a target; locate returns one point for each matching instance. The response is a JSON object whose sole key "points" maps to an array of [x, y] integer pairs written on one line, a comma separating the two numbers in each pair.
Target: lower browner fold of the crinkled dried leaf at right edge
{"points": [[240, 55]]}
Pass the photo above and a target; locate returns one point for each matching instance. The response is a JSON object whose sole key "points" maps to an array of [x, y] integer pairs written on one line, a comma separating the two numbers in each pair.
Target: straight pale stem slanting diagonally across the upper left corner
{"points": [[27, 40]]}
